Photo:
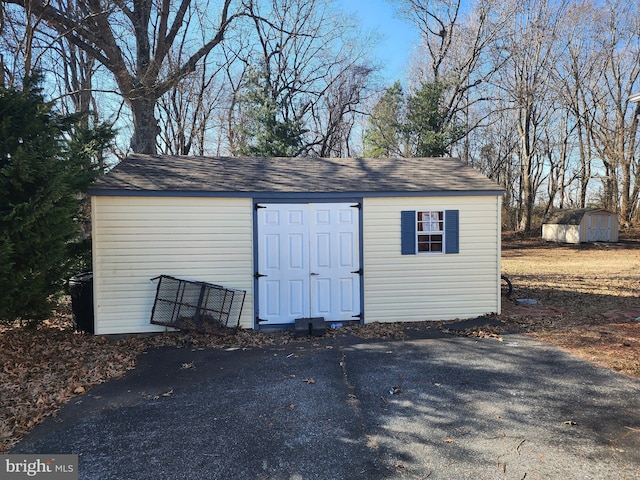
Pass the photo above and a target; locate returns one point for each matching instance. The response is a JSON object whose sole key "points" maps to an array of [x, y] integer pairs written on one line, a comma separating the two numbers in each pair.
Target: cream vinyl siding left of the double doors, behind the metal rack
{"points": [[139, 238]]}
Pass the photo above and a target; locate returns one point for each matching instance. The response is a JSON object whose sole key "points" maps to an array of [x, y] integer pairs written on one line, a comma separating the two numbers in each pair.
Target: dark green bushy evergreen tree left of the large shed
{"points": [[42, 181]]}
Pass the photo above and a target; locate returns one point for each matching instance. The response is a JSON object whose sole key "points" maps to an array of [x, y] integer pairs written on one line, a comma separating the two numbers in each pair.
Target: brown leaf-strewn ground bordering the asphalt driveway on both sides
{"points": [[587, 302]]}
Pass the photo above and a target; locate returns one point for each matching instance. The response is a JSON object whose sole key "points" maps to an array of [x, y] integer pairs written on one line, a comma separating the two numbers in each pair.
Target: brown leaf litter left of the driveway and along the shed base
{"points": [[43, 368]]}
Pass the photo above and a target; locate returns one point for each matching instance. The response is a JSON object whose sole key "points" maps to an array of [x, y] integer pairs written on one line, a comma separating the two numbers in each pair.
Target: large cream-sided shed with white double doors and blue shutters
{"points": [[347, 240]]}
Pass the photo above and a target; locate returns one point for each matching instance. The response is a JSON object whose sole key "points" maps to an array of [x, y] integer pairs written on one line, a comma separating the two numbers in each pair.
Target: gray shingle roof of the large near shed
{"points": [[164, 173]]}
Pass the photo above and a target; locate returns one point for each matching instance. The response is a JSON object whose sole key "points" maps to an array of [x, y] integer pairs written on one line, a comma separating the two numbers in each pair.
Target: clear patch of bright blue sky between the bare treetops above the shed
{"points": [[399, 36]]}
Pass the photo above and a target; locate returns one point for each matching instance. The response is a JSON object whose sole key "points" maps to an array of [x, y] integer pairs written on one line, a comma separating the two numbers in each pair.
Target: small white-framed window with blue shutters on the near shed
{"points": [[429, 231]]}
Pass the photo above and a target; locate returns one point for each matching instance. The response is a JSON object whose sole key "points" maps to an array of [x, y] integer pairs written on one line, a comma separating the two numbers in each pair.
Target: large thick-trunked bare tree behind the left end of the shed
{"points": [[132, 40]]}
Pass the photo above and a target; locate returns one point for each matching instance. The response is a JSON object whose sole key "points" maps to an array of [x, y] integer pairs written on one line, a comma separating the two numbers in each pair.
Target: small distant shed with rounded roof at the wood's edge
{"points": [[581, 225]]}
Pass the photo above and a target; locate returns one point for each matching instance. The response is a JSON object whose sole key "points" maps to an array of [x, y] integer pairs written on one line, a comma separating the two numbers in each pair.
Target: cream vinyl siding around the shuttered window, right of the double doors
{"points": [[431, 286]]}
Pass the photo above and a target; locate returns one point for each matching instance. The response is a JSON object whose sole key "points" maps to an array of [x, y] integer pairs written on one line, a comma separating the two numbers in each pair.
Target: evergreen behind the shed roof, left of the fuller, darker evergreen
{"points": [[384, 135]]}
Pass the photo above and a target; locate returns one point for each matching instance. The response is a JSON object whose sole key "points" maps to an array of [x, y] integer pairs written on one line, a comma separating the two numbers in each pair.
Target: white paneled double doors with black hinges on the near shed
{"points": [[308, 262]]}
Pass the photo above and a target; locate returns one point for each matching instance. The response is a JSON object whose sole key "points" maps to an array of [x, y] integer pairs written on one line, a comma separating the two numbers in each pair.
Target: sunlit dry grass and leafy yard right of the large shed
{"points": [[589, 297]]}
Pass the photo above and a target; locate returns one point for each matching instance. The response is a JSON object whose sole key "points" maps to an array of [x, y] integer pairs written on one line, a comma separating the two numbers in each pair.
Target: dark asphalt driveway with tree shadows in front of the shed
{"points": [[347, 408]]}
